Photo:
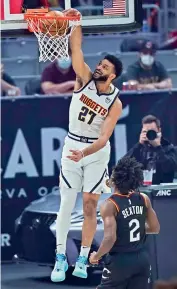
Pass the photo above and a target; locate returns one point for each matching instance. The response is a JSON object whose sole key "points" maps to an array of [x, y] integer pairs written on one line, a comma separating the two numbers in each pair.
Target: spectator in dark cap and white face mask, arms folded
{"points": [[147, 73]]}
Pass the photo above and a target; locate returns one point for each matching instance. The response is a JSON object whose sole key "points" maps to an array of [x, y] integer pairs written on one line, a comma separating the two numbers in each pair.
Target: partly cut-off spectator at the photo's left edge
{"points": [[8, 86]]}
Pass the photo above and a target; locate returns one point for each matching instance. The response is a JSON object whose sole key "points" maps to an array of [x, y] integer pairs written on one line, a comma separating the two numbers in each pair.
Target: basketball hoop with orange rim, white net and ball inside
{"points": [[52, 37]]}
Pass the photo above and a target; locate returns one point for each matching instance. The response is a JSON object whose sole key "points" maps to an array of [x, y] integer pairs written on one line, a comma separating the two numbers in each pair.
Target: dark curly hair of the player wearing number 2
{"points": [[127, 175]]}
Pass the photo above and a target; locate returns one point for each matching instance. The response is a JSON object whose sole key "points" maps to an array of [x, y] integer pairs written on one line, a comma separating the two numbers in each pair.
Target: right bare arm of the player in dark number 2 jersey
{"points": [[152, 223]]}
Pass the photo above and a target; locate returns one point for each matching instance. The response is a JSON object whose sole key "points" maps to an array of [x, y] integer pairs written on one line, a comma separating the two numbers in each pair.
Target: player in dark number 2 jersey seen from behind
{"points": [[128, 216]]}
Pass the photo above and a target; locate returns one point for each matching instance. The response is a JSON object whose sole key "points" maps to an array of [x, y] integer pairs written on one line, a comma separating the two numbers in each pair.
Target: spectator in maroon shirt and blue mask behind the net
{"points": [[58, 77]]}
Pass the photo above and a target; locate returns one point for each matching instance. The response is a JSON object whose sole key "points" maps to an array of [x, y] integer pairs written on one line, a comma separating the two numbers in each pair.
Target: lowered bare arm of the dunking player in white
{"points": [[106, 130]]}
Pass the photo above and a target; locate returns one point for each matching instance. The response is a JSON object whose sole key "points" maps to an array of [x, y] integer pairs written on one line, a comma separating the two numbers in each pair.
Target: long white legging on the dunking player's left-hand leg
{"points": [[68, 199]]}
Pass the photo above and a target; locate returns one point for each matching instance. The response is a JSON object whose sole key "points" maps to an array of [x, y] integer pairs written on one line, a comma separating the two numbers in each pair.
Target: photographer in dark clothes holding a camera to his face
{"points": [[155, 152]]}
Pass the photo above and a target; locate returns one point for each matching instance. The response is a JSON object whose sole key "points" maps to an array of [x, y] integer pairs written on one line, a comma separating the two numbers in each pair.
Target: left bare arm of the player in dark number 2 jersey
{"points": [[108, 213]]}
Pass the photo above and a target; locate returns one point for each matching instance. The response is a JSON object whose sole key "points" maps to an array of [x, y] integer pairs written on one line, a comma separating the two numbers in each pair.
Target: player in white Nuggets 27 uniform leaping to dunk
{"points": [[94, 111]]}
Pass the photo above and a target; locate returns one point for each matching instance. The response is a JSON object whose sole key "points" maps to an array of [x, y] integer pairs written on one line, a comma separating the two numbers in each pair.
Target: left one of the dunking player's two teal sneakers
{"points": [[61, 266]]}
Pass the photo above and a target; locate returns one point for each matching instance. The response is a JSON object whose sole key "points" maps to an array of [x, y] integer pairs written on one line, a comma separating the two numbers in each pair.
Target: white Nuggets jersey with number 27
{"points": [[88, 110]]}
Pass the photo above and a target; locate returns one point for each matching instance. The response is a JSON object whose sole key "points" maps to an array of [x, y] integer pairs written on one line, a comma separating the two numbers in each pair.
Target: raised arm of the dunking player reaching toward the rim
{"points": [[81, 69]]}
